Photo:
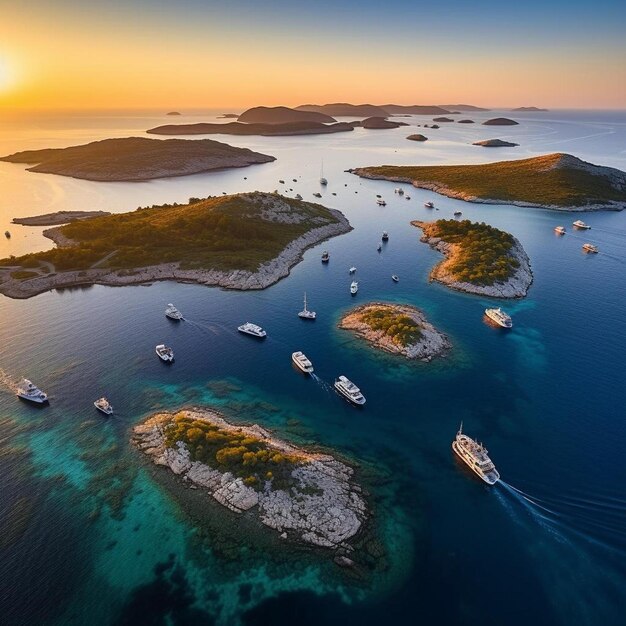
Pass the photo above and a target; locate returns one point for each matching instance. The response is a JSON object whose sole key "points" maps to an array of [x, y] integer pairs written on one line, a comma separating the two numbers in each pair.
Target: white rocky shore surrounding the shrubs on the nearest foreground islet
{"points": [[324, 507]]}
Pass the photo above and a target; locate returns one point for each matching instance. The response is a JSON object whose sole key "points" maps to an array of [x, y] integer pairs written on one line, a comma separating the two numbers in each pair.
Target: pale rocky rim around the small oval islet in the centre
{"points": [[431, 344]]}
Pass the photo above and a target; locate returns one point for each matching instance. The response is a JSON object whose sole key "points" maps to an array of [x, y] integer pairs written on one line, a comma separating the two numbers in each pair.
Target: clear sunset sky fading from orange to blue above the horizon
{"points": [[239, 53]]}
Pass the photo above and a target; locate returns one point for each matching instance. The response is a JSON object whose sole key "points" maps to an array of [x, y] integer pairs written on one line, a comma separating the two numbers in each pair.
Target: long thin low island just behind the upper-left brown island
{"points": [[239, 128]]}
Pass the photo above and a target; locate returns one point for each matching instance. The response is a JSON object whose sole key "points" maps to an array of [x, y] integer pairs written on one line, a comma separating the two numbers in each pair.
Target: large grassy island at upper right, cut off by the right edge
{"points": [[553, 181]]}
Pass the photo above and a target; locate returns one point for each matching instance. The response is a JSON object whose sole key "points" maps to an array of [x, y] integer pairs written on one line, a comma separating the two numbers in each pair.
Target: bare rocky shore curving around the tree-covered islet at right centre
{"points": [[515, 287]]}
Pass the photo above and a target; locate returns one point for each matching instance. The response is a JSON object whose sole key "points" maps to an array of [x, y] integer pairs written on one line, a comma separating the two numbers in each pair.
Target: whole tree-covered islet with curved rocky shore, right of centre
{"points": [[480, 259]]}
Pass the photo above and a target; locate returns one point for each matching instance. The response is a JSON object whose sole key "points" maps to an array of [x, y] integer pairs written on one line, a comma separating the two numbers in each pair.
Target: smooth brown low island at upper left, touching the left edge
{"points": [[137, 159]]}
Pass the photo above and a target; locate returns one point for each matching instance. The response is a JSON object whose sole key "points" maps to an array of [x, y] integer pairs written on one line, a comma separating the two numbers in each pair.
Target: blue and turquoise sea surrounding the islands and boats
{"points": [[92, 534]]}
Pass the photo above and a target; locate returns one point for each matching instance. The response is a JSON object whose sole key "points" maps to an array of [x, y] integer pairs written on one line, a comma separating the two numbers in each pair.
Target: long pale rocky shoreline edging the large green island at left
{"points": [[267, 274]]}
